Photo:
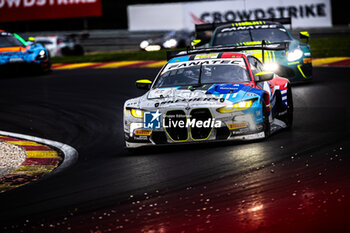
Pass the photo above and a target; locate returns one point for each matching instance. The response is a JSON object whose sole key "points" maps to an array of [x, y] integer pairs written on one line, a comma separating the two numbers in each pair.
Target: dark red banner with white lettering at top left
{"points": [[21, 10]]}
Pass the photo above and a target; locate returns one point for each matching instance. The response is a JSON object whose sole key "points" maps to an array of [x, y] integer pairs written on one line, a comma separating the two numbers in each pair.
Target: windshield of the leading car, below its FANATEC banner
{"points": [[192, 76]]}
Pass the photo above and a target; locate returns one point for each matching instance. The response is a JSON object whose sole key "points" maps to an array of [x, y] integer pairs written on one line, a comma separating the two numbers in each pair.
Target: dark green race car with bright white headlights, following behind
{"points": [[293, 63]]}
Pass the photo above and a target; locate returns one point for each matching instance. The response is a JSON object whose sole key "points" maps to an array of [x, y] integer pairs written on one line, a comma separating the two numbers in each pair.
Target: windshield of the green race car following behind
{"points": [[241, 36]]}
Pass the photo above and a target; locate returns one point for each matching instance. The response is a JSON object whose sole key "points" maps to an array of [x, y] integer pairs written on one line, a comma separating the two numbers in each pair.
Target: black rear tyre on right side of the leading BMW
{"points": [[287, 111]]}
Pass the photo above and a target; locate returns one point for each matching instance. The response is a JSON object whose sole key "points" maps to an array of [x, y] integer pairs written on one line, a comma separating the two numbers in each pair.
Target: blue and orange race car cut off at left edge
{"points": [[16, 54]]}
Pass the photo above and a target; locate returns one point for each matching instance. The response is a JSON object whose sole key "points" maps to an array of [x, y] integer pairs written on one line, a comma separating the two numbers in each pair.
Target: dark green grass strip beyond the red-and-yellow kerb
{"points": [[337, 46]]}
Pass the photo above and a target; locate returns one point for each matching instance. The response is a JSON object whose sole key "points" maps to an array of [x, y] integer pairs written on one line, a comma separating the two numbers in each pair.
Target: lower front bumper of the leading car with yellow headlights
{"points": [[246, 127]]}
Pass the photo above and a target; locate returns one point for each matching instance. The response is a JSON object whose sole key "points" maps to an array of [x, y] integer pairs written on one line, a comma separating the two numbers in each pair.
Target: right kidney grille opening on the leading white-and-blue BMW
{"points": [[200, 133]]}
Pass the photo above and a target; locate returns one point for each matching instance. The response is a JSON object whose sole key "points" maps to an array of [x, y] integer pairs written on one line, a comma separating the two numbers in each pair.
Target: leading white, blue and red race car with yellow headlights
{"points": [[208, 95]]}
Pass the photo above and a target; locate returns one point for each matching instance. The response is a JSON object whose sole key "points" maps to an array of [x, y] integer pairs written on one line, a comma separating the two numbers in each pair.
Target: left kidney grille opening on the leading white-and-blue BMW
{"points": [[176, 133]]}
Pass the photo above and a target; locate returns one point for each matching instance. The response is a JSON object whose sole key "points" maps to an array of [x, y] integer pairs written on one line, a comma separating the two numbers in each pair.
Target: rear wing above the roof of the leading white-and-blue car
{"points": [[263, 46]]}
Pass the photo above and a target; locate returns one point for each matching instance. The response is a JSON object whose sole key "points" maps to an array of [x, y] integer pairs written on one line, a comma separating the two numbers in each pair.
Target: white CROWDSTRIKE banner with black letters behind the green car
{"points": [[183, 16]]}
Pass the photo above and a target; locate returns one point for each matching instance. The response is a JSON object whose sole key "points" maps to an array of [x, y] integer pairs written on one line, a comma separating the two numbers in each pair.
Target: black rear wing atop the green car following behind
{"points": [[205, 31]]}
